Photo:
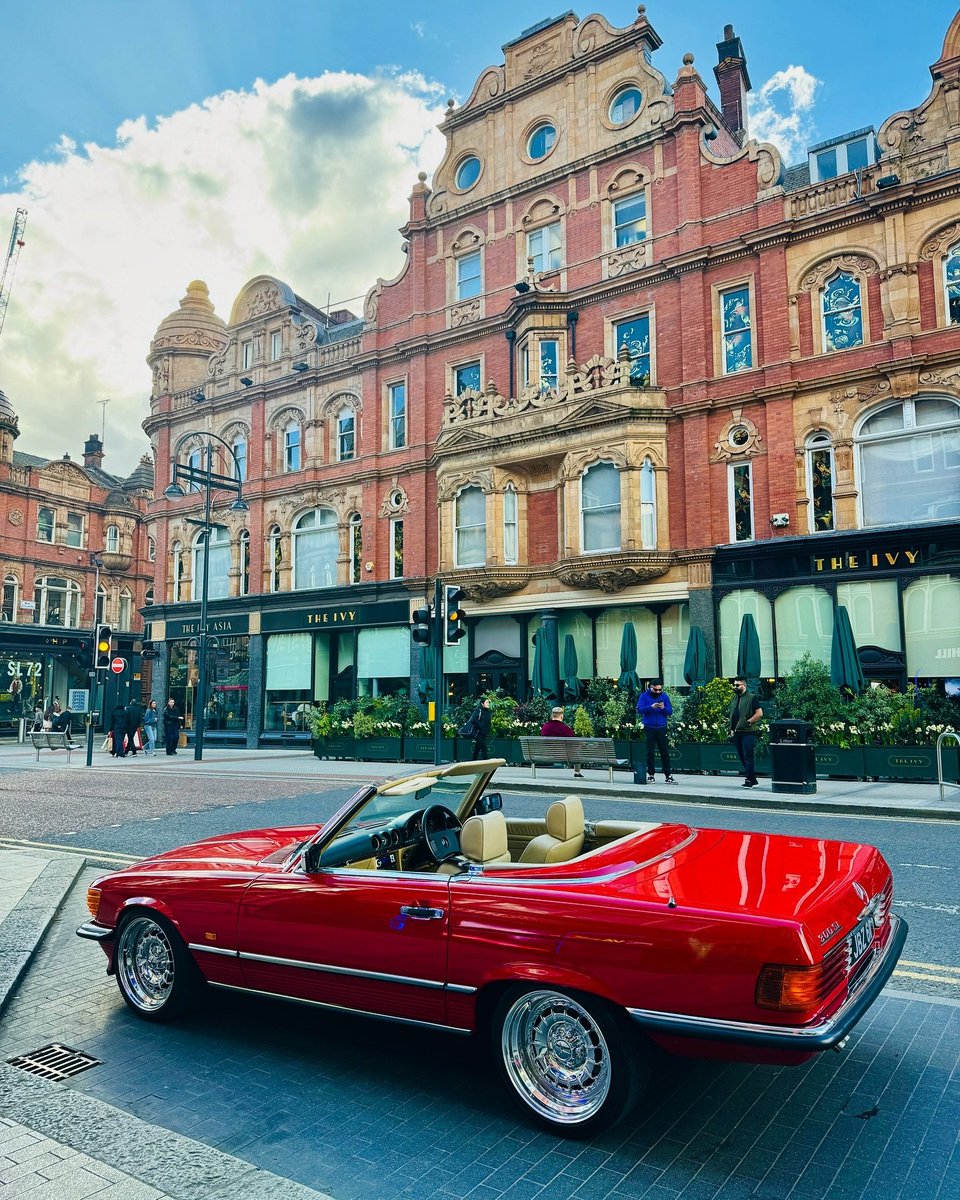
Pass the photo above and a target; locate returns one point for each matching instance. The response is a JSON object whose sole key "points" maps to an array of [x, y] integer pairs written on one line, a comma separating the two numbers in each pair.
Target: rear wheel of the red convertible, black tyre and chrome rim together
{"points": [[569, 1059]]}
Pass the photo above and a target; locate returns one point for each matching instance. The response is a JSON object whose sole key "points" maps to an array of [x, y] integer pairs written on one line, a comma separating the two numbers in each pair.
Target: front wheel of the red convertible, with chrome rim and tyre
{"points": [[158, 977]]}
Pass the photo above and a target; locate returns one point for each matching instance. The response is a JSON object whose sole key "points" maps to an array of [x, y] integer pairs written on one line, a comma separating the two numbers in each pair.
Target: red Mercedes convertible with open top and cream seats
{"points": [[572, 944]]}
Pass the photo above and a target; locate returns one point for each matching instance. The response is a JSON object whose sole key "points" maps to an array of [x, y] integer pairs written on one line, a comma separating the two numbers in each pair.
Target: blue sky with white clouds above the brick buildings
{"points": [[148, 154]]}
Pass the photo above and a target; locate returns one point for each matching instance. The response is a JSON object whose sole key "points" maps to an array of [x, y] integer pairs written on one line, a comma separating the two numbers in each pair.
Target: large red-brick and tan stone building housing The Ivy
{"points": [[634, 371]]}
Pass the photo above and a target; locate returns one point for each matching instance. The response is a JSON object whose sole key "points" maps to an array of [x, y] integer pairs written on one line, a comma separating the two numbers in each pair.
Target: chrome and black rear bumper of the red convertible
{"points": [[800, 1037]]}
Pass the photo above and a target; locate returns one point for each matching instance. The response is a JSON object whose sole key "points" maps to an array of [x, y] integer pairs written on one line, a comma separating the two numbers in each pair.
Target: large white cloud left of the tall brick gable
{"points": [[304, 179]]}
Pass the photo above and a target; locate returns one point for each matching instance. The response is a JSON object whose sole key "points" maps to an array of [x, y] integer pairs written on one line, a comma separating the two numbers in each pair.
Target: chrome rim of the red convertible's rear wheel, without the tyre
{"points": [[556, 1058]]}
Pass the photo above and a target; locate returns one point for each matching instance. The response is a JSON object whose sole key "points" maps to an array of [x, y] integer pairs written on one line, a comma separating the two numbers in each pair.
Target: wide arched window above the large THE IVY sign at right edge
{"points": [[910, 463]]}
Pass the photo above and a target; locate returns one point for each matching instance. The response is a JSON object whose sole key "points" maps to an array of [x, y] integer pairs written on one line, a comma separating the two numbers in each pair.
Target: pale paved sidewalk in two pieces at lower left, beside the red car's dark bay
{"points": [[57, 1144]]}
